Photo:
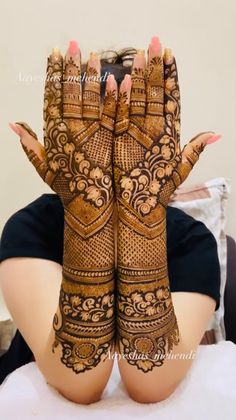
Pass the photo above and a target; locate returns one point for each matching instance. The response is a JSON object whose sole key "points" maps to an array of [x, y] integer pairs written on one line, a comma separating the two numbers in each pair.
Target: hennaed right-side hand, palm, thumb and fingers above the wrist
{"points": [[148, 160]]}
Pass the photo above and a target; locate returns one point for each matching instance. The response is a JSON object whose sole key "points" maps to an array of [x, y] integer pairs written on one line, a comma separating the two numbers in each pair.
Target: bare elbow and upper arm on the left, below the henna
{"points": [[31, 289]]}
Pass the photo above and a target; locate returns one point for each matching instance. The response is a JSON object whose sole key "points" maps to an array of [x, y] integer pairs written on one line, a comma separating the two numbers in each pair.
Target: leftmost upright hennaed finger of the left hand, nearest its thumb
{"points": [[53, 88]]}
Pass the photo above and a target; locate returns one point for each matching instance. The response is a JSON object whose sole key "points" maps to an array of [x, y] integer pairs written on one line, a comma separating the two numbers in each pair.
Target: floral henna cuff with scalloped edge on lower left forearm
{"points": [[85, 329]]}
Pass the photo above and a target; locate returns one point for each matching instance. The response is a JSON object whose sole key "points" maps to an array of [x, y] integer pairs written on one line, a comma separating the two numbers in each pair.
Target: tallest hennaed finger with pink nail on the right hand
{"points": [[155, 89]]}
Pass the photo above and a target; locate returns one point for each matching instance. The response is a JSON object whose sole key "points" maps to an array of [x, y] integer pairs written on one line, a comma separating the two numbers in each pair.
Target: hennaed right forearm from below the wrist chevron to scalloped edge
{"points": [[146, 319]]}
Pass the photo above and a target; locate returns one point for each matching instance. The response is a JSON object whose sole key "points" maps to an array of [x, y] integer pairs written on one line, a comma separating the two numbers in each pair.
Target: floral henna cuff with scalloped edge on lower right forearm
{"points": [[148, 327]]}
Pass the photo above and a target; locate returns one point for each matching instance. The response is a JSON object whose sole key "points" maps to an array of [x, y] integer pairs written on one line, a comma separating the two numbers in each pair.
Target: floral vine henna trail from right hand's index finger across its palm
{"points": [[141, 189]]}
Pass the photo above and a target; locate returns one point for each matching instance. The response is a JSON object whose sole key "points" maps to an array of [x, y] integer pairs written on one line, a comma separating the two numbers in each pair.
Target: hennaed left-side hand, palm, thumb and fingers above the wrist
{"points": [[76, 159]]}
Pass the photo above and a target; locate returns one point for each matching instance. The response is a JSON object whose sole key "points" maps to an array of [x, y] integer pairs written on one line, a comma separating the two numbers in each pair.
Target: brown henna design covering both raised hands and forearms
{"points": [[78, 161]]}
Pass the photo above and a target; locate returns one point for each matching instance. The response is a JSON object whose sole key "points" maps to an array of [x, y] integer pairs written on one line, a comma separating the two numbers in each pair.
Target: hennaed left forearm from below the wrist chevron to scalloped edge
{"points": [[84, 323]]}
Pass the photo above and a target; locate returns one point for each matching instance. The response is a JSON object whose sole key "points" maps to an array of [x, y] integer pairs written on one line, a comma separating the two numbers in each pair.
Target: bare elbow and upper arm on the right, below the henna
{"points": [[193, 312]]}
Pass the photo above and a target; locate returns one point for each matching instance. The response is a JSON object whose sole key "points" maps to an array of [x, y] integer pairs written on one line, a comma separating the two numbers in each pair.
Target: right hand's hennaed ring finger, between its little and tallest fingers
{"points": [[138, 90]]}
